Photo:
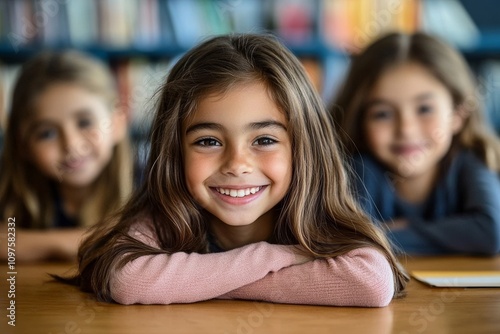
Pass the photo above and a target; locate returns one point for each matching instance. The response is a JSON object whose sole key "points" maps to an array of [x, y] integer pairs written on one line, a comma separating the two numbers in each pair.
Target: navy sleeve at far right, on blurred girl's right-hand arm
{"points": [[476, 228]]}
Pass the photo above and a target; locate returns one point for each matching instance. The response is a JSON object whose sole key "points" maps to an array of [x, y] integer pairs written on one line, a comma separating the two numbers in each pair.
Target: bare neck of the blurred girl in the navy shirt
{"points": [[416, 189]]}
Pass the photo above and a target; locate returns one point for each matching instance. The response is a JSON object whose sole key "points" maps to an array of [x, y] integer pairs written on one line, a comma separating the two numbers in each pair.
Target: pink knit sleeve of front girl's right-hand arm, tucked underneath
{"points": [[362, 277]]}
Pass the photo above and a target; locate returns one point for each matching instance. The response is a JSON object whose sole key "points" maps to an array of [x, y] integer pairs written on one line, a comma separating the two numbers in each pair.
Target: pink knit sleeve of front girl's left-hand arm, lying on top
{"points": [[191, 277]]}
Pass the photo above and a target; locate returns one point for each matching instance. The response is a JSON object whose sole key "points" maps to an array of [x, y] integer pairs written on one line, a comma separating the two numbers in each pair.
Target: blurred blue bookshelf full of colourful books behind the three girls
{"points": [[140, 39]]}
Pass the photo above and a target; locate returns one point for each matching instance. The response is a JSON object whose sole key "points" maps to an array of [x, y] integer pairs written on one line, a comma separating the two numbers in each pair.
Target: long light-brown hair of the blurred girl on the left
{"points": [[24, 190]]}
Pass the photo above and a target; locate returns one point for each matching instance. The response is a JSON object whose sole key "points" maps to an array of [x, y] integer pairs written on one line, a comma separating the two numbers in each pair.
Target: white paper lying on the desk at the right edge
{"points": [[466, 279]]}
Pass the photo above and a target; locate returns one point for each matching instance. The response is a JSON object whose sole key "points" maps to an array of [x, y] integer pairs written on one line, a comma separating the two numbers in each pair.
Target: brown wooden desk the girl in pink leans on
{"points": [[48, 307]]}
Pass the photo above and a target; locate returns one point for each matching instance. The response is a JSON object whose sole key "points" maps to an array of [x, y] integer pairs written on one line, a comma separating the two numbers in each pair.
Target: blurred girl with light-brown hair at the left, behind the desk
{"points": [[66, 160]]}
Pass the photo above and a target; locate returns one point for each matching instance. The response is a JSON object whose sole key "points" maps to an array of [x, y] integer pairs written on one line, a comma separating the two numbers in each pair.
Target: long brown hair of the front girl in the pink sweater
{"points": [[319, 212]]}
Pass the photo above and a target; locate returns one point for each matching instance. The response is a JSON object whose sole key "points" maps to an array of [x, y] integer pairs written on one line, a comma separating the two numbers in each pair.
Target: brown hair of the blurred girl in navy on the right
{"points": [[443, 62]]}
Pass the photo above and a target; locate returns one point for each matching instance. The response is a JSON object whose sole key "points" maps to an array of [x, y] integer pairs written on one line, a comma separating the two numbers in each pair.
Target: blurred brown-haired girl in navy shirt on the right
{"points": [[426, 160]]}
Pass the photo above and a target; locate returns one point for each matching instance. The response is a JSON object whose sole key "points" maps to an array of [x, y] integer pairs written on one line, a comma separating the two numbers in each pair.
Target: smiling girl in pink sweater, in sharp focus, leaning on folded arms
{"points": [[246, 195]]}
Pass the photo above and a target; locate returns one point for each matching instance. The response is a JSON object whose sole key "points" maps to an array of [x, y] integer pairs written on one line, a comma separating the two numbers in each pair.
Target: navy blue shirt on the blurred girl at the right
{"points": [[462, 214]]}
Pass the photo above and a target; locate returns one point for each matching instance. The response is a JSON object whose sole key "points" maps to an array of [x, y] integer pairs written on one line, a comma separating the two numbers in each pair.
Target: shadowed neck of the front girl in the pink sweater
{"points": [[229, 237]]}
